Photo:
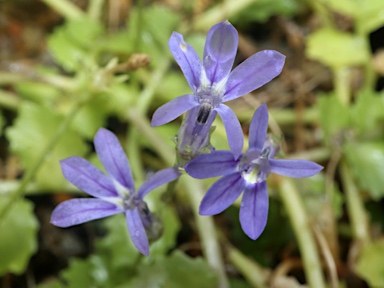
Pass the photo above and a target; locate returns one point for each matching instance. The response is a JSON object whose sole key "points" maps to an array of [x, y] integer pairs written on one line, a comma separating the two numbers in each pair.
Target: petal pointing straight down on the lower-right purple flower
{"points": [[254, 210]]}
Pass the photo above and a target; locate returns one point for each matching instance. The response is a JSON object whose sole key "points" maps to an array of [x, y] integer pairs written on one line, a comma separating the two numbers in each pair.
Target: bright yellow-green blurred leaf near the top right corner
{"points": [[337, 49]]}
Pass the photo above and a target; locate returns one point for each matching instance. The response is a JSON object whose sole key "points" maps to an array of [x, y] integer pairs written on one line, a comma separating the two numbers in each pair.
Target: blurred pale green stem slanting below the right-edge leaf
{"points": [[355, 206]]}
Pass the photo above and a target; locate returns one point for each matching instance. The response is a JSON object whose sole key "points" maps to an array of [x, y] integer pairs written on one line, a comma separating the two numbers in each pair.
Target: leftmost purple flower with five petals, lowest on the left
{"points": [[114, 193]]}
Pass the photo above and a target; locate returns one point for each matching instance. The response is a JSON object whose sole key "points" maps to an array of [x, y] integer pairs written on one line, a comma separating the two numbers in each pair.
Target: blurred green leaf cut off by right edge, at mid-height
{"points": [[366, 161]]}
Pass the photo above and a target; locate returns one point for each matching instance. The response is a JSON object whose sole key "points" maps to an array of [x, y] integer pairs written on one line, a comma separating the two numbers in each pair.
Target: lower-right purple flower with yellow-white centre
{"points": [[247, 174]]}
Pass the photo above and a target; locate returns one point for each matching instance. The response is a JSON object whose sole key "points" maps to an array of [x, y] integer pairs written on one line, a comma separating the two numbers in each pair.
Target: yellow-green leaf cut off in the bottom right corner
{"points": [[370, 265]]}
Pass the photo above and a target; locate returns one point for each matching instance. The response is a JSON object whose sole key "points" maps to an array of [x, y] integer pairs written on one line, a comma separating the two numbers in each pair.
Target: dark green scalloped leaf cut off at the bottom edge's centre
{"points": [[177, 270]]}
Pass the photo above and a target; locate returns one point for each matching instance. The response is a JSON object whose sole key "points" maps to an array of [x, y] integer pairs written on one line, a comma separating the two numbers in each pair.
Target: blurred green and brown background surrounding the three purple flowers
{"points": [[68, 68]]}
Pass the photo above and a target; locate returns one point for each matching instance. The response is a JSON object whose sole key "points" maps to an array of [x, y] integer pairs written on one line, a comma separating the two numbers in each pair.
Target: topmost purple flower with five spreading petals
{"points": [[213, 83]]}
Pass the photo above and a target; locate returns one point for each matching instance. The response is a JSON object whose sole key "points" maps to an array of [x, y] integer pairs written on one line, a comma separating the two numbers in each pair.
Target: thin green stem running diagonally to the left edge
{"points": [[30, 173]]}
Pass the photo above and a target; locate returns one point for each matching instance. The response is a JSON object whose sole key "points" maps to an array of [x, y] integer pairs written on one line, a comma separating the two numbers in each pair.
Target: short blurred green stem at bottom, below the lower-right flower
{"points": [[255, 274]]}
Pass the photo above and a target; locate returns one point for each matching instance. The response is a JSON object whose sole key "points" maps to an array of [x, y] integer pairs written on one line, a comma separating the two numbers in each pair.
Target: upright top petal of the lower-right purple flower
{"points": [[258, 128]]}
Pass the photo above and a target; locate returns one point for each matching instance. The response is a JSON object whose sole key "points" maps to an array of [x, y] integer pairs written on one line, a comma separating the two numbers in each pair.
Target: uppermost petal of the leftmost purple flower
{"points": [[113, 158]]}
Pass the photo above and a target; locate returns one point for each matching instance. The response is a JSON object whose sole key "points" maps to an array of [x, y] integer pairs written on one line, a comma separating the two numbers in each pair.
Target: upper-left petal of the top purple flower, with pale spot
{"points": [[187, 59]]}
